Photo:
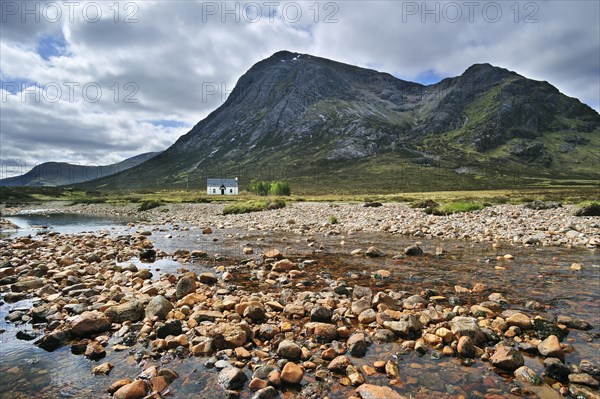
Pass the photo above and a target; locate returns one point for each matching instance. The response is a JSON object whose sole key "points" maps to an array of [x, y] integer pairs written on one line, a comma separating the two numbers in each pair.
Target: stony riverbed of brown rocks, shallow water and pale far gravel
{"points": [[282, 314]]}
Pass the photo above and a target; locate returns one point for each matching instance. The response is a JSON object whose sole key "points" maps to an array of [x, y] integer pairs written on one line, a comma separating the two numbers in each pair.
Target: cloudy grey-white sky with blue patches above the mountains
{"points": [[97, 82]]}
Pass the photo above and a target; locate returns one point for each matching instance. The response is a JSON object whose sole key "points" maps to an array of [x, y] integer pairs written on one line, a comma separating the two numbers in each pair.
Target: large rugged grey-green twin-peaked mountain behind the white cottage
{"points": [[328, 126]]}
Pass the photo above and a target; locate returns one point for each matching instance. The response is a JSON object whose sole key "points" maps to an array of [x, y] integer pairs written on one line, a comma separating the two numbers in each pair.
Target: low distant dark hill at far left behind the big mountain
{"points": [[62, 173]]}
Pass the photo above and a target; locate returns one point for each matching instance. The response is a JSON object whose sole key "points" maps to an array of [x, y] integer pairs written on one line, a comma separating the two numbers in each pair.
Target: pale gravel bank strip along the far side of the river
{"points": [[499, 223]]}
